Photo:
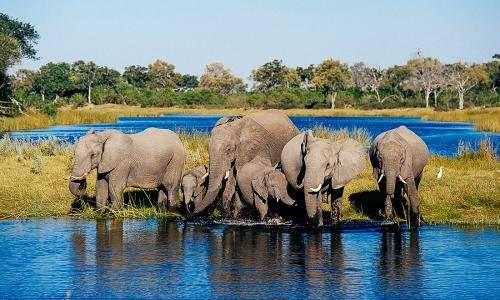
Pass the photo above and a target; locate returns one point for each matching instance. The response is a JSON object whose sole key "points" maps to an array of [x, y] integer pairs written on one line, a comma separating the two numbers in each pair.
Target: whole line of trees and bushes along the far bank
{"points": [[421, 81]]}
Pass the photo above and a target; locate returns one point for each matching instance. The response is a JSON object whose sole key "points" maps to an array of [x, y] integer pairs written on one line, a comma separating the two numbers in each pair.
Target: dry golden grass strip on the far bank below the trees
{"points": [[485, 118]]}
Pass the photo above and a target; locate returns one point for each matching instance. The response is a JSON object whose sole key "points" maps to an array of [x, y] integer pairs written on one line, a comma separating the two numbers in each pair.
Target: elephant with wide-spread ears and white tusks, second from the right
{"points": [[321, 167]]}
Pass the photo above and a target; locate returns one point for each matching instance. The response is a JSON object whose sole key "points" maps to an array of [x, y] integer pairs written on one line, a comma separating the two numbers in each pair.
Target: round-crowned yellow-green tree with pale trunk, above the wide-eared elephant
{"points": [[330, 76]]}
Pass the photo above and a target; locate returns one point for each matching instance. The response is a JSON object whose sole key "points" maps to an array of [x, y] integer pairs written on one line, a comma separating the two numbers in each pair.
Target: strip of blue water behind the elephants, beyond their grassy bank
{"points": [[441, 137]]}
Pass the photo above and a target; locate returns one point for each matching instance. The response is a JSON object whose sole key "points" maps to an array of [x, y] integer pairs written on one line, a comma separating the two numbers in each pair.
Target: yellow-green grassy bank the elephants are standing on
{"points": [[468, 193]]}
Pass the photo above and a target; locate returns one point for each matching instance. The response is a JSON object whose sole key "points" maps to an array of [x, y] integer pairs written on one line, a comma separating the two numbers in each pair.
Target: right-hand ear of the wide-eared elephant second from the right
{"points": [[349, 161]]}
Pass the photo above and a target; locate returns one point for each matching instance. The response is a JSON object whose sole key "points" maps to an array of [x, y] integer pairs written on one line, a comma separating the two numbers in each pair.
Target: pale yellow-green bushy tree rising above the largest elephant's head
{"points": [[219, 80]]}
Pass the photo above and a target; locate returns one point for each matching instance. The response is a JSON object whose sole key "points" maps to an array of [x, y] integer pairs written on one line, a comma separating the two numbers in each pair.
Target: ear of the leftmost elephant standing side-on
{"points": [[116, 148]]}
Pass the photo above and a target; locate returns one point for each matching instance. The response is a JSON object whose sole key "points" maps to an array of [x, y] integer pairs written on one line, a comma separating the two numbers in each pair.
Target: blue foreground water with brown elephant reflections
{"points": [[77, 258]]}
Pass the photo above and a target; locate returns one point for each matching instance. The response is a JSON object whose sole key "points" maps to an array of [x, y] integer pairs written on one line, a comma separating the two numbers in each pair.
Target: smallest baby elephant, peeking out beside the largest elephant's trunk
{"points": [[194, 186]]}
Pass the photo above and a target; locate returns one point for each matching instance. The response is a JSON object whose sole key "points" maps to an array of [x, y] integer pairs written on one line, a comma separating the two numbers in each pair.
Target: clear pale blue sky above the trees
{"points": [[245, 34]]}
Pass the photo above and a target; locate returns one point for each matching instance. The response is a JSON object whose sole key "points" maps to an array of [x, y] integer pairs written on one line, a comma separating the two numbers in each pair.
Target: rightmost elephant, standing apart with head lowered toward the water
{"points": [[395, 154]]}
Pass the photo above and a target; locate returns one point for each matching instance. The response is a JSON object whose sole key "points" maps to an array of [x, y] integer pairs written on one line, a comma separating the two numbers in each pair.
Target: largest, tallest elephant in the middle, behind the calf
{"points": [[235, 141]]}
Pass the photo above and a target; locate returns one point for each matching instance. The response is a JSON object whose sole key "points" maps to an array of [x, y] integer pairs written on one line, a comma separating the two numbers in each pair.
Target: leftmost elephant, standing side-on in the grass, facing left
{"points": [[153, 158]]}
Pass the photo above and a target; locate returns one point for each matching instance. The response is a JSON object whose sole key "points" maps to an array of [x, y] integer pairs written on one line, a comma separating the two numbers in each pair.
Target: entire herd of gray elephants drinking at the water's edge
{"points": [[256, 161]]}
